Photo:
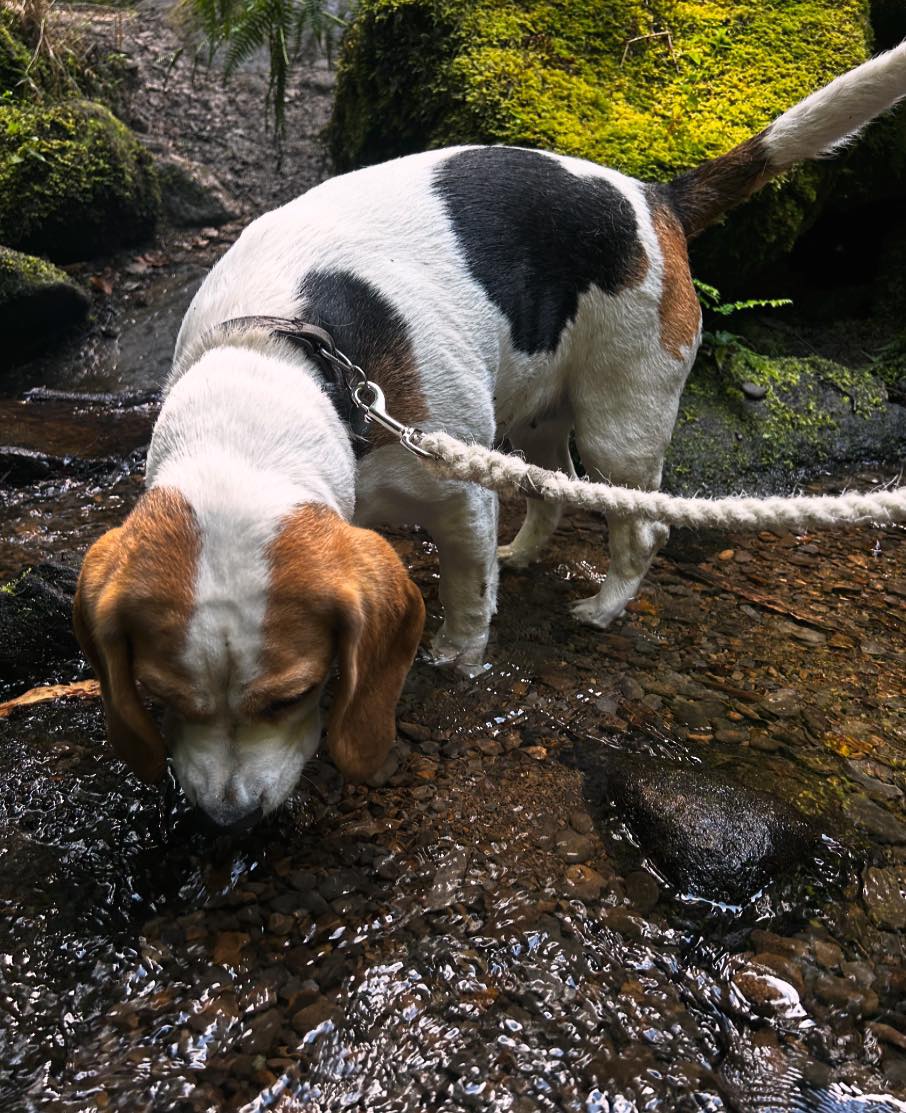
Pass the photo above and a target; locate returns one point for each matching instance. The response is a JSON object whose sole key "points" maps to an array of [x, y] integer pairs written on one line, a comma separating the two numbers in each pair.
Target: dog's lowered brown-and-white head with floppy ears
{"points": [[239, 656]]}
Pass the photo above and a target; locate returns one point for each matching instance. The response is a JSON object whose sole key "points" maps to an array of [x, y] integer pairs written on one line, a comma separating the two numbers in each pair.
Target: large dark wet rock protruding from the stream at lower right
{"points": [[711, 836]]}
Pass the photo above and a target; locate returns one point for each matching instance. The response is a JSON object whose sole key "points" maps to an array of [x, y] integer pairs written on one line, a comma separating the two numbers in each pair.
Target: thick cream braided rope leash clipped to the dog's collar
{"points": [[513, 476]]}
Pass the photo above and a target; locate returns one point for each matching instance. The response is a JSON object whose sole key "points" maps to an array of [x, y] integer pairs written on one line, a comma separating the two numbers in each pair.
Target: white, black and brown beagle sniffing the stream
{"points": [[490, 292]]}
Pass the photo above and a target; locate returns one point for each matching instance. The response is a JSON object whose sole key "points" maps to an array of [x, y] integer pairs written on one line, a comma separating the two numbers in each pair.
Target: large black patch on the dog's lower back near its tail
{"points": [[537, 237]]}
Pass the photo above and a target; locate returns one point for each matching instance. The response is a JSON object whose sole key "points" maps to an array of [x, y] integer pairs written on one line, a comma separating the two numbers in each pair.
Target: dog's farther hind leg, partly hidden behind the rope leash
{"points": [[548, 446]]}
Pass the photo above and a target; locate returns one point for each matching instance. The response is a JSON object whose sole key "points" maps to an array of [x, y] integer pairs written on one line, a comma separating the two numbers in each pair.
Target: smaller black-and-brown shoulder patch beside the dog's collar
{"points": [[368, 329]]}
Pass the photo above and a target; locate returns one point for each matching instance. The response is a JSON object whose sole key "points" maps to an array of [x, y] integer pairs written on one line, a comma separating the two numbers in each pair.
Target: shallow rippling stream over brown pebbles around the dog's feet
{"points": [[585, 887]]}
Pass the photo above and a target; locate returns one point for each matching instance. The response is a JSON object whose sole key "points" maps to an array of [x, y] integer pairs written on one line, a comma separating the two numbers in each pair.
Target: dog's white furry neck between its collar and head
{"points": [[248, 432]]}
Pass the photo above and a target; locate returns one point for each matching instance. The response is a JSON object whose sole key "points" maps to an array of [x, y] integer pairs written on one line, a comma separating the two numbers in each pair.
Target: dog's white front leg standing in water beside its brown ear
{"points": [[465, 528]]}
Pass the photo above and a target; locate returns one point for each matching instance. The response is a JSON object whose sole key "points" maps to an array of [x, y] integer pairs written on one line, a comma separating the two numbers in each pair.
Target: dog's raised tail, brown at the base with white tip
{"points": [[816, 127]]}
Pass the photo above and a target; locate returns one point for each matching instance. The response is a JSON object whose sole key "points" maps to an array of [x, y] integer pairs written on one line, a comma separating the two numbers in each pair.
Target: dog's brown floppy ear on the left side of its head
{"points": [[97, 617]]}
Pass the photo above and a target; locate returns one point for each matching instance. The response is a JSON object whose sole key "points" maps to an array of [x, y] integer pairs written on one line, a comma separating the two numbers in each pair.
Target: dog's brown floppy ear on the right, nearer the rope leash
{"points": [[382, 616]]}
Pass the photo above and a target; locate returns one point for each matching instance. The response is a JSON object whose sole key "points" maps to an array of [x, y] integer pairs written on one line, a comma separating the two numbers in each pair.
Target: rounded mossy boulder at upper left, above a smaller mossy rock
{"points": [[74, 182]]}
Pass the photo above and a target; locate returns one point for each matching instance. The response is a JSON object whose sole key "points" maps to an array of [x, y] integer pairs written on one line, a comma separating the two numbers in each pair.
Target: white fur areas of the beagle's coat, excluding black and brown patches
{"points": [[247, 432]]}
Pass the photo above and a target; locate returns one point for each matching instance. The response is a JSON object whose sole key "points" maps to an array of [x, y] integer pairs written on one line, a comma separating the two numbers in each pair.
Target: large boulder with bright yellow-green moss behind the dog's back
{"points": [[651, 87]]}
